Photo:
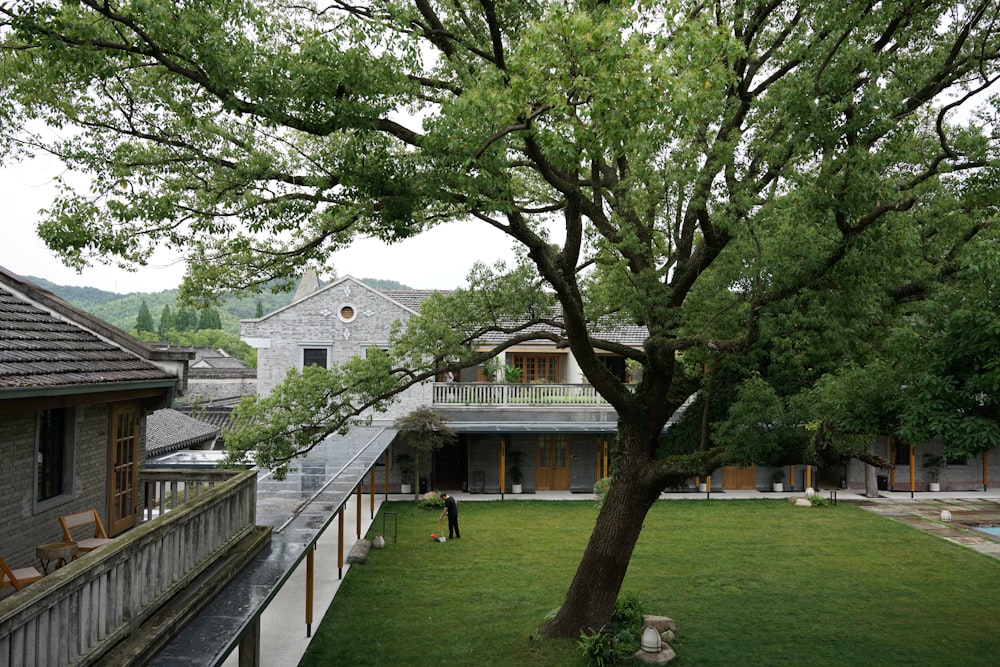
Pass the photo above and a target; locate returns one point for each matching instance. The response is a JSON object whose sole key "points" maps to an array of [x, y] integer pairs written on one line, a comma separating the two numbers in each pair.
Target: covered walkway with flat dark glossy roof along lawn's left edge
{"points": [[305, 510]]}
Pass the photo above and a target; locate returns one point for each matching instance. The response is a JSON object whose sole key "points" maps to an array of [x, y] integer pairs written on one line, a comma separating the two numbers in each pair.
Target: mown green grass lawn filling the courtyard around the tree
{"points": [[755, 582]]}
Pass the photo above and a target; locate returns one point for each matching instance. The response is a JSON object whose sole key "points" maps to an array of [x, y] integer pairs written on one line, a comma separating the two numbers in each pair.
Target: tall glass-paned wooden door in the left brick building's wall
{"points": [[124, 481]]}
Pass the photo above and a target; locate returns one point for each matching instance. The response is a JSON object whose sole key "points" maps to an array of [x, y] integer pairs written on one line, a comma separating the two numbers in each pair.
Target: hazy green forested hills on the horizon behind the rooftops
{"points": [[121, 310]]}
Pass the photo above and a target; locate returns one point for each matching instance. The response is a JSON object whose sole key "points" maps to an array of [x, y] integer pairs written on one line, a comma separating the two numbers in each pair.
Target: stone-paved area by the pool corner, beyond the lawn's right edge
{"points": [[925, 514]]}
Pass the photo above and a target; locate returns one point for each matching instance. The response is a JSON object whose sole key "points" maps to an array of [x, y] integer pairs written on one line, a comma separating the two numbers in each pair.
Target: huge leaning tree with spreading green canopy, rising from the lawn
{"points": [[719, 173]]}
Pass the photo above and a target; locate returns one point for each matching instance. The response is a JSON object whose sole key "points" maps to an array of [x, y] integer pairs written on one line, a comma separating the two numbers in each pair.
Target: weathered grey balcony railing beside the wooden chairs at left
{"points": [[76, 614]]}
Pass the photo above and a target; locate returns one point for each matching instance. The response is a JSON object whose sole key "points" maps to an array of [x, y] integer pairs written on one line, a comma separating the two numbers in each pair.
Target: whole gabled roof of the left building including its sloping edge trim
{"points": [[47, 344]]}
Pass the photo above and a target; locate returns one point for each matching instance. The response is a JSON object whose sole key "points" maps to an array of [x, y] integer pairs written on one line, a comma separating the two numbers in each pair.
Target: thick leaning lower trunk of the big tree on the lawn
{"points": [[590, 601]]}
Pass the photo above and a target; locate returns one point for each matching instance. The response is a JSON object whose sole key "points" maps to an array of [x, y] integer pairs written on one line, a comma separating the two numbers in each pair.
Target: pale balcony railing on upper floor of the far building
{"points": [[502, 394]]}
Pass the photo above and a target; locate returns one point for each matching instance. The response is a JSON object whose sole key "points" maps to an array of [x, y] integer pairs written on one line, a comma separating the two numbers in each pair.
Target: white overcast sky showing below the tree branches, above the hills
{"points": [[438, 259]]}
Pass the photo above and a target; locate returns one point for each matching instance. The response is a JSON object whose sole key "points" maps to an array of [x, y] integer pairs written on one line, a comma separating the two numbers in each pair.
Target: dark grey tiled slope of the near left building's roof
{"points": [[40, 350]]}
